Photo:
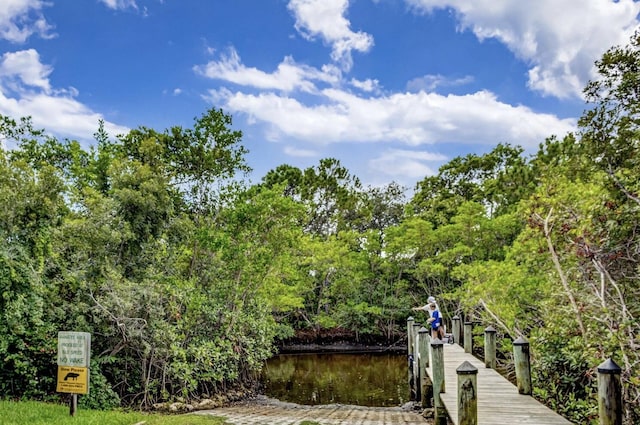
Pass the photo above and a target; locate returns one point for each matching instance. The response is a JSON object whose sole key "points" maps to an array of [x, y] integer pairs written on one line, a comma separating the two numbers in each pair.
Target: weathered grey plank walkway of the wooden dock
{"points": [[498, 399]]}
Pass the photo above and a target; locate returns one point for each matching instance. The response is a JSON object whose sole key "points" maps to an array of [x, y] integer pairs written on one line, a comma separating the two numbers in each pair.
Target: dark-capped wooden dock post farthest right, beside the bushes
{"points": [[609, 393]]}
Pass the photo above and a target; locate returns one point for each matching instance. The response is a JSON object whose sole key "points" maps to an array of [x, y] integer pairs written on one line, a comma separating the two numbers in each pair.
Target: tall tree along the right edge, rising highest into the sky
{"points": [[610, 137]]}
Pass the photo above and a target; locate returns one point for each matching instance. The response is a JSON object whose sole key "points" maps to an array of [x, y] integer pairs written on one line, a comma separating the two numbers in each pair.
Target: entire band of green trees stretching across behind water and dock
{"points": [[187, 277]]}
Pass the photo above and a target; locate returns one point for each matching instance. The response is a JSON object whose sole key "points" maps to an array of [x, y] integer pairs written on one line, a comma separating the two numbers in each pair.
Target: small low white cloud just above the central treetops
{"points": [[399, 163]]}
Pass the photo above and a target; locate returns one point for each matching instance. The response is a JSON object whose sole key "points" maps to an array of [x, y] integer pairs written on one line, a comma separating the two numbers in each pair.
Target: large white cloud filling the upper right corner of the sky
{"points": [[560, 40]]}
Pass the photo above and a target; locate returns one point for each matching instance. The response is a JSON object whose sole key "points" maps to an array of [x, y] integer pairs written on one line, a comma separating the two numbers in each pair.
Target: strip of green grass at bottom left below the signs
{"points": [[37, 413]]}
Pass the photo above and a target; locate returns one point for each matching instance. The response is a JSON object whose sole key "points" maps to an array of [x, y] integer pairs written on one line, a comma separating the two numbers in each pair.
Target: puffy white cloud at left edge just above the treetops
{"points": [[25, 90]]}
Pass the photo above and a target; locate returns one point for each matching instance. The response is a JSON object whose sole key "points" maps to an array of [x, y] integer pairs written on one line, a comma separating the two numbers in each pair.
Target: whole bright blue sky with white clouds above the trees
{"points": [[391, 88]]}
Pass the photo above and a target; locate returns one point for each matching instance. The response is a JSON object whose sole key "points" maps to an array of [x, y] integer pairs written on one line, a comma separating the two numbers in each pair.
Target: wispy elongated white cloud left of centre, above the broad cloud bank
{"points": [[288, 76]]}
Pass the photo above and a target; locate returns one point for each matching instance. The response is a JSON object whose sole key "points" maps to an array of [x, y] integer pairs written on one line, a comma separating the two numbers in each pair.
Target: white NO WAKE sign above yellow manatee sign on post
{"points": [[74, 355]]}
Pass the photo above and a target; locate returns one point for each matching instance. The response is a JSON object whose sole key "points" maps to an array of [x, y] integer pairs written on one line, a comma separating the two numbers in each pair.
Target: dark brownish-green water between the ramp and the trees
{"points": [[373, 379]]}
